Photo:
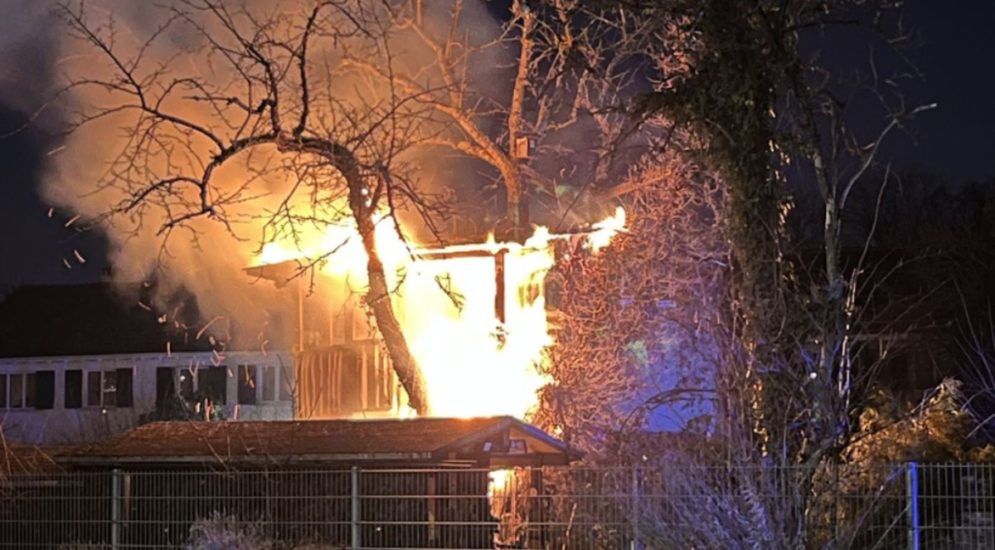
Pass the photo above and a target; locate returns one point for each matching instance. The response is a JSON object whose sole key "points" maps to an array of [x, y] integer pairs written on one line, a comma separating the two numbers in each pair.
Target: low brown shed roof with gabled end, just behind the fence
{"points": [[497, 441]]}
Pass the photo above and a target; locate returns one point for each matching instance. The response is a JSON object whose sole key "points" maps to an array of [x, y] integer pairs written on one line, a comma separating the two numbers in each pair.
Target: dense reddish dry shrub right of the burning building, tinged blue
{"points": [[633, 322]]}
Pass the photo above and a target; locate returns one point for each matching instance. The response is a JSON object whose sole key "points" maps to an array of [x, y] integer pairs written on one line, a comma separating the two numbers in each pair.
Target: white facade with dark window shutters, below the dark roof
{"points": [[69, 399]]}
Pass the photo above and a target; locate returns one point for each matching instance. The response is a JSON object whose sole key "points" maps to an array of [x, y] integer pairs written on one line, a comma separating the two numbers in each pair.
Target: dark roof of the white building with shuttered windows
{"points": [[89, 319]]}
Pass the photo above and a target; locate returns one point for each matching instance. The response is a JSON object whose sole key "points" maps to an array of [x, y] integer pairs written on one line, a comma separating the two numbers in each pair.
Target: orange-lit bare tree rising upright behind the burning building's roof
{"points": [[568, 76]]}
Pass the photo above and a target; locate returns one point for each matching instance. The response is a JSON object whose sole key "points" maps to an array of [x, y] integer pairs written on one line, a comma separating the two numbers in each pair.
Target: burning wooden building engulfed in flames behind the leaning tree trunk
{"points": [[474, 316]]}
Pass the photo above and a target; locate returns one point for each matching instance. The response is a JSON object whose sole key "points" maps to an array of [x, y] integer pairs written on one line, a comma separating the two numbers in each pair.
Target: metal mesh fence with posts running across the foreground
{"points": [[906, 506]]}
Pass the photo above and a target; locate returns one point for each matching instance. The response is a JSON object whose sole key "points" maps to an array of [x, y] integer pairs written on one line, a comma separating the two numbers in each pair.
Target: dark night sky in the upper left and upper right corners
{"points": [[955, 142]]}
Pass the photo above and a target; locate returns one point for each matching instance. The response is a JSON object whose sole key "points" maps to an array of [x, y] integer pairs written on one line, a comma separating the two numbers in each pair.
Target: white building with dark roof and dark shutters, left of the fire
{"points": [[77, 363]]}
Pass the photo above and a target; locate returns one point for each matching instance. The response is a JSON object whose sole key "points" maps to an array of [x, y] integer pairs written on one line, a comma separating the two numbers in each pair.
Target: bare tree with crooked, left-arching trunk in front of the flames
{"points": [[262, 90]]}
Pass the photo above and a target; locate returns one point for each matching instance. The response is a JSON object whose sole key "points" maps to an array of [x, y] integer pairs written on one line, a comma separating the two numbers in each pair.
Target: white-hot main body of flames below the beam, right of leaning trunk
{"points": [[475, 365]]}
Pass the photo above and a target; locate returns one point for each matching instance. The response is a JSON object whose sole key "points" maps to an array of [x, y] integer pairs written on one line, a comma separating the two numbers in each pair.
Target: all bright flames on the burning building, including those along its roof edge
{"points": [[480, 352]]}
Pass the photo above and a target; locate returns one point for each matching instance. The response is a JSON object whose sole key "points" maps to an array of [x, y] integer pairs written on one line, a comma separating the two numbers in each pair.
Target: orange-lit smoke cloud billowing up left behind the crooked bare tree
{"points": [[204, 256]]}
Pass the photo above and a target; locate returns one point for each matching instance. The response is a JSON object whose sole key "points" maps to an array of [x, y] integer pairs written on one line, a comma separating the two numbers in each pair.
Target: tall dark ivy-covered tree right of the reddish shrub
{"points": [[766, 102]]}
